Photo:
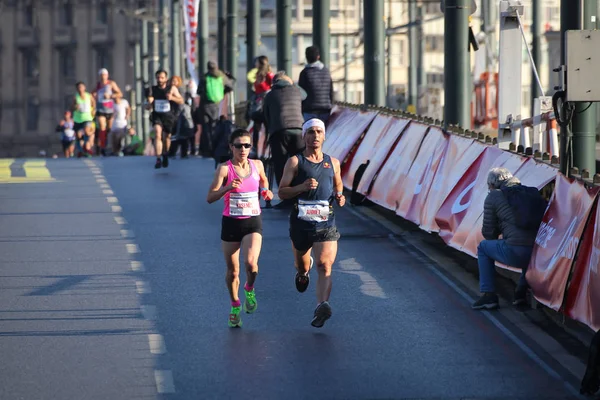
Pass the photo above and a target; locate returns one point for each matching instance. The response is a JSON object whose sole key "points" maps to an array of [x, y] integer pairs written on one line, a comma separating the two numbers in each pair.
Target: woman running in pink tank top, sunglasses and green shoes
{"points": [[238, 181]]}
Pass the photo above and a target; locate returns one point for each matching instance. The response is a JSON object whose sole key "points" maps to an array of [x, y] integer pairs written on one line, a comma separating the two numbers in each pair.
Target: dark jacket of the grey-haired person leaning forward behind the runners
{"points": [[283, 107]]}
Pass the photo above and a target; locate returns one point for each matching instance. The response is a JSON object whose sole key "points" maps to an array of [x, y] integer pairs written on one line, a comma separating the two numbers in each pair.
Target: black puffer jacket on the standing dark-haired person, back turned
{"points": [[316, 81]]}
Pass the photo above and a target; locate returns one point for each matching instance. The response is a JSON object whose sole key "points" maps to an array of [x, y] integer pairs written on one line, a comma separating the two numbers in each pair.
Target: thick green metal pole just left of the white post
{"points": [[456, 63]]}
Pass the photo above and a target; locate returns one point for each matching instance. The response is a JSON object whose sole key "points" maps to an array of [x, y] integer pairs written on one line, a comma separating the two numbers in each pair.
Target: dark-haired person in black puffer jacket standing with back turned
{"points": [[315, 80]]}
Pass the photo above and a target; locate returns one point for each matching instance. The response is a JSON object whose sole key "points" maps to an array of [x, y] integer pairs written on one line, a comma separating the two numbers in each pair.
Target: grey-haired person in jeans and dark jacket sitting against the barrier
{"points": [[515, 247]]}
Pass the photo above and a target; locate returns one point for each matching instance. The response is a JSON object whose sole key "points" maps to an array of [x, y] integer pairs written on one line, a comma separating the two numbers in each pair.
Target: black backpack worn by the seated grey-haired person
{"points": [[527, 204]]}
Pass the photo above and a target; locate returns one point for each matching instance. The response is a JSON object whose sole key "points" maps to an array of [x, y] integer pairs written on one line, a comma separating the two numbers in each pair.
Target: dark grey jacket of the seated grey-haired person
{"points": [[498, 219]]}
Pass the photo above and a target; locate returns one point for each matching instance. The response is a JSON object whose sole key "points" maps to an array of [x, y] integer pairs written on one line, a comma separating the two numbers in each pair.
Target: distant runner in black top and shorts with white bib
{"points": [[163, 101]]}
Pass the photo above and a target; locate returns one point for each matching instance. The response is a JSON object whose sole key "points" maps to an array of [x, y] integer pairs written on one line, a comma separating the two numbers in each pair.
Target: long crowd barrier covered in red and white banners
{"points": [[438, 180]]}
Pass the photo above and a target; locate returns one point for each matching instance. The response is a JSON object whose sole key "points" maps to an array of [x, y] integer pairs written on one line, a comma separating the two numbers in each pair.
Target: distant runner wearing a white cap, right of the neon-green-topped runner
{"points": [[105, 94]]}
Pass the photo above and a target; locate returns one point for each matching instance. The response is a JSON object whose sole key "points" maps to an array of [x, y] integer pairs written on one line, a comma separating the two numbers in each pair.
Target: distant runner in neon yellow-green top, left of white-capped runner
{"points": [[83, 116]]}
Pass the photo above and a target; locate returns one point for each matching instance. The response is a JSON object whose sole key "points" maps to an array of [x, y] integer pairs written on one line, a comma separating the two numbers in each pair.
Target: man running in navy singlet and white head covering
{"points": [[313, 180]]}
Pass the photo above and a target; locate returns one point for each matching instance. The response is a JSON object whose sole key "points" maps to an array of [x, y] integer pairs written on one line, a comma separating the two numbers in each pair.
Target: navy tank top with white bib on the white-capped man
{"points": [[314, 209]]}
